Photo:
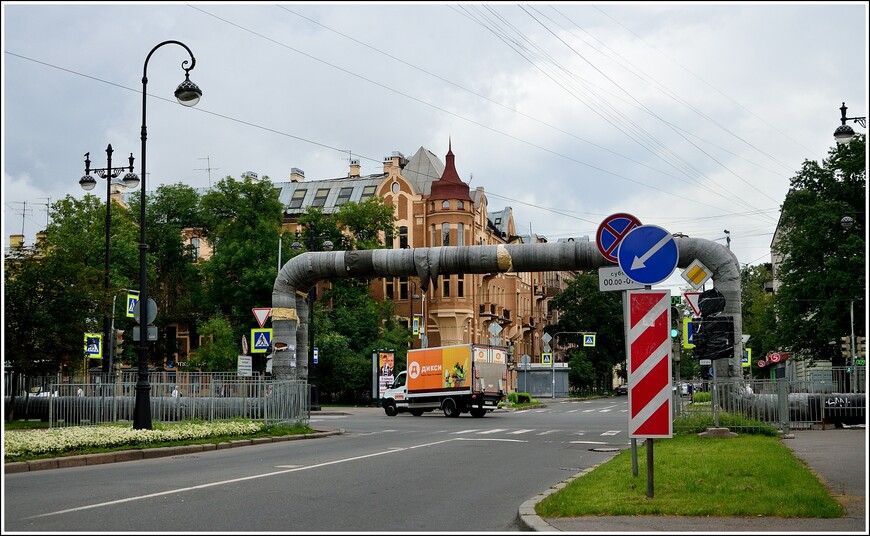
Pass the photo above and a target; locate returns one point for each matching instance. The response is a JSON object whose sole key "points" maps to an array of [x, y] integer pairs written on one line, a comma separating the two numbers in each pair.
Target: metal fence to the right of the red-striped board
{"points": [[741, 405]]}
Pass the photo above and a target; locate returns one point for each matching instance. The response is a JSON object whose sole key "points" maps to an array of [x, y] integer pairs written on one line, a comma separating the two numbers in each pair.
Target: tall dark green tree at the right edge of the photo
{"points": [[823, 270]]}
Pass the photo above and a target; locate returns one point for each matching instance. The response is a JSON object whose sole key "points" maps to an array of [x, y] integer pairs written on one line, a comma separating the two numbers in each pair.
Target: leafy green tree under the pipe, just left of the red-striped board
{"points": [[584, 308]]}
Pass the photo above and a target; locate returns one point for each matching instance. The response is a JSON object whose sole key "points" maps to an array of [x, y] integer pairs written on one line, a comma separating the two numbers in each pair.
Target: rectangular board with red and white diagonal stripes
{"points": [[649, 364]]}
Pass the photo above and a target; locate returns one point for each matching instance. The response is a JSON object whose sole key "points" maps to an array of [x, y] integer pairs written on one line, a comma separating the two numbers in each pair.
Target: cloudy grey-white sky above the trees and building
{"points": [[690, 116]]}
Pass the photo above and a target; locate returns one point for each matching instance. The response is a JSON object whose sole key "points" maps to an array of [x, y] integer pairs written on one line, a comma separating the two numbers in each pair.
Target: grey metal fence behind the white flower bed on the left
{"points": [[200, 396]]}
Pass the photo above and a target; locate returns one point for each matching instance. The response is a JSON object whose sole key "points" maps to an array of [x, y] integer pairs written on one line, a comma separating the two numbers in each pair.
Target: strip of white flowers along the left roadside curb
{"points": [[60, 440]]}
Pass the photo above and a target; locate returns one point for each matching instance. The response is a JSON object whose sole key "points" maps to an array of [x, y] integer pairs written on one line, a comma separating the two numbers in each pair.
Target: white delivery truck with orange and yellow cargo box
{"points": [[467, 378]]}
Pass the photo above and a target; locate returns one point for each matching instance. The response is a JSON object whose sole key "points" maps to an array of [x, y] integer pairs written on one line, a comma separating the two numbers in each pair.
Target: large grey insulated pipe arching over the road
{"points": [[290, 314]]}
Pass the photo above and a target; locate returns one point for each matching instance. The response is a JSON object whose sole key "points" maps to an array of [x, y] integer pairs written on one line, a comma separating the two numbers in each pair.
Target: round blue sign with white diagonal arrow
{"points": [[648, 254]]}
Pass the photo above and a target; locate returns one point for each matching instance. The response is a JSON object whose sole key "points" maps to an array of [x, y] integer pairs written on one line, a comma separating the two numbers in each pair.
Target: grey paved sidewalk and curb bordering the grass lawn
{"points": [[837, 456]]}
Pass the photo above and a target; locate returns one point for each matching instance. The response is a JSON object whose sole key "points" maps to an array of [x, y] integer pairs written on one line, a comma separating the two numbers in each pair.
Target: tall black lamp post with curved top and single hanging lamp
{"points": [[187, 94]]}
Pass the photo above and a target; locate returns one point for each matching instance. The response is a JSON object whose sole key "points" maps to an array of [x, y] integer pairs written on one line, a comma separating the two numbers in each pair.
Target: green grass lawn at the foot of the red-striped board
{"points": [[748, 475]]}
